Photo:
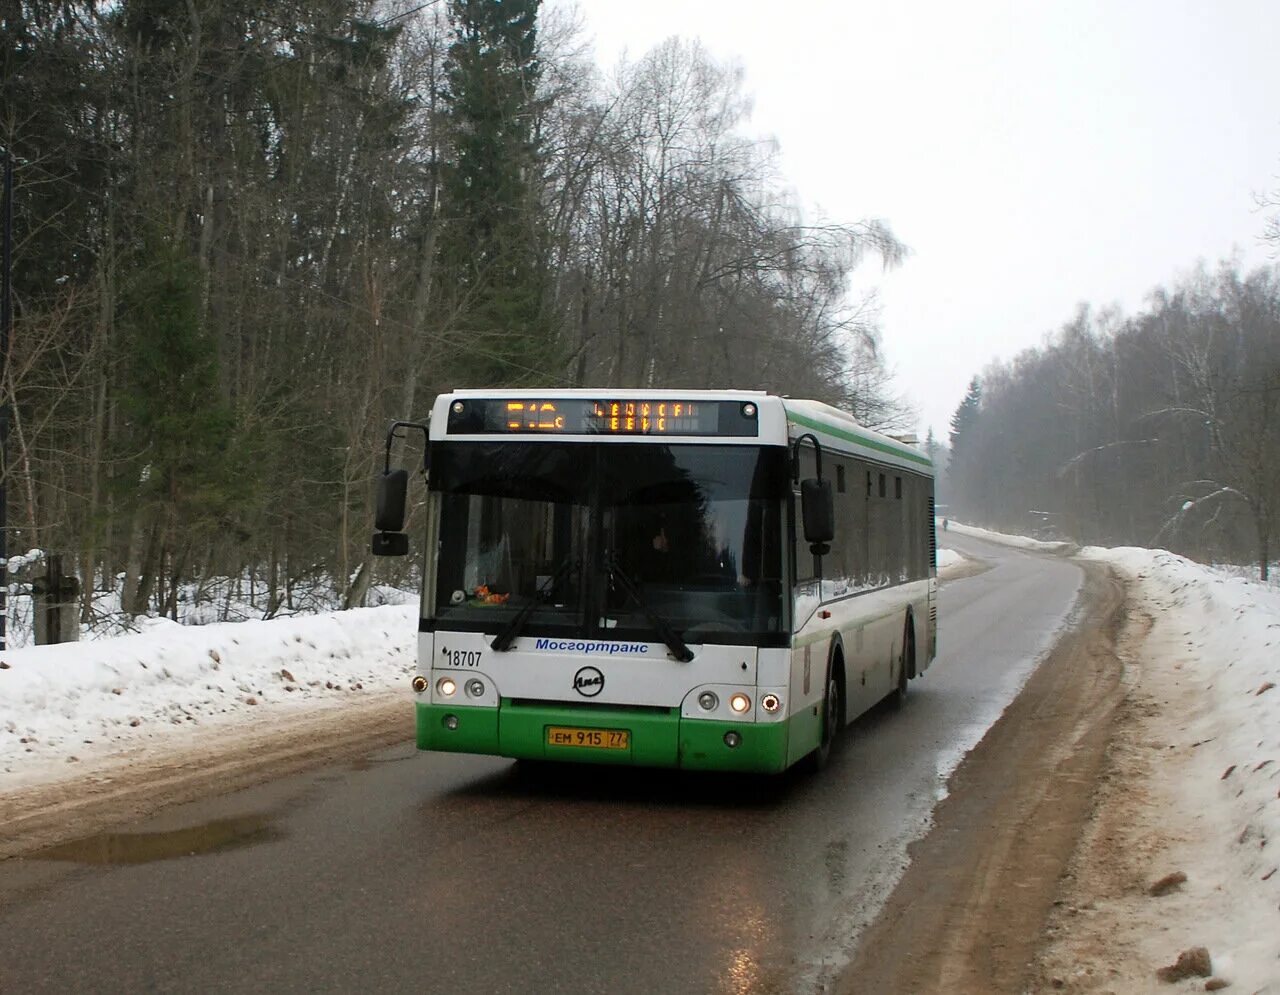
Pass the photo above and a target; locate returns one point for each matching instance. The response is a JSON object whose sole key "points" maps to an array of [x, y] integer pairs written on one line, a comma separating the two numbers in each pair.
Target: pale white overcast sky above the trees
{"points": [[1034, 156]]}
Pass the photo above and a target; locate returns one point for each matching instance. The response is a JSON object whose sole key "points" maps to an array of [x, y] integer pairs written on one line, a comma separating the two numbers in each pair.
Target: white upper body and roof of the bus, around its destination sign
{"points": [[781, 422]]}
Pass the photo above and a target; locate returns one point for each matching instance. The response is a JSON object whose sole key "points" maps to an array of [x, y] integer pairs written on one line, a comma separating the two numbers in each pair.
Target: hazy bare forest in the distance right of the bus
{"points": [[1158, 430]]}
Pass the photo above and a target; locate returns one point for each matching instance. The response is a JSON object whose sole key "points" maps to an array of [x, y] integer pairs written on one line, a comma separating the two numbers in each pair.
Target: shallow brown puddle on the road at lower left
{"points": [[132, 848]]}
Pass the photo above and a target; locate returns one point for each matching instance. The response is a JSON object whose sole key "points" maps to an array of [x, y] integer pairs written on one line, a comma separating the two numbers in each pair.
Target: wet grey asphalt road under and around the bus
{"points": [[432, 873]]}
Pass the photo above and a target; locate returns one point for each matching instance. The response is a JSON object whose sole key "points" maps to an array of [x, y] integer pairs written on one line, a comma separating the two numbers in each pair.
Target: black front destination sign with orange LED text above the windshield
{"points": [[621, 417]]}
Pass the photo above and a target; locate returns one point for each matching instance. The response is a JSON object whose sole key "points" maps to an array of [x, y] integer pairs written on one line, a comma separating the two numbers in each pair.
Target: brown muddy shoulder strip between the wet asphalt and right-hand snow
{"points": [[970, 912]]}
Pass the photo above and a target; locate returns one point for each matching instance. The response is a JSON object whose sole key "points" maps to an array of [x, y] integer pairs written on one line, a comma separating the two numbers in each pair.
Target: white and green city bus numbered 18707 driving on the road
{"points": [[697, 579]]}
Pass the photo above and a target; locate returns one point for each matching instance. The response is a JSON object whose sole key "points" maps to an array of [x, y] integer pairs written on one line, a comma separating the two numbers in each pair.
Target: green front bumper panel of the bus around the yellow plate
{"points": [[655, 738]]}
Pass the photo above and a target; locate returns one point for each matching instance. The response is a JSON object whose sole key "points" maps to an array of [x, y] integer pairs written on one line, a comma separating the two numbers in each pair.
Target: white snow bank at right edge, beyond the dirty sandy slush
{"points": [[1222, 635]]}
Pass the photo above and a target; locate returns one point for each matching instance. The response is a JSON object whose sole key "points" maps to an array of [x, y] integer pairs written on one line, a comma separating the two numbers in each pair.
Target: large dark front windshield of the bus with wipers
{"points": [[612, 541]]}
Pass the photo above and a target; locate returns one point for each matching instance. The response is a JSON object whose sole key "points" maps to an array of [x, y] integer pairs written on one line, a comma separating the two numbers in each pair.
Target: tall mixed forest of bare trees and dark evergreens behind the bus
{"points": [[250, 235]]}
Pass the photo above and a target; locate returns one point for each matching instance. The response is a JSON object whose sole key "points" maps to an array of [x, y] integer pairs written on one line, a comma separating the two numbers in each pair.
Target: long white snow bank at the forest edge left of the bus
{"points": [[75, 702]]}
